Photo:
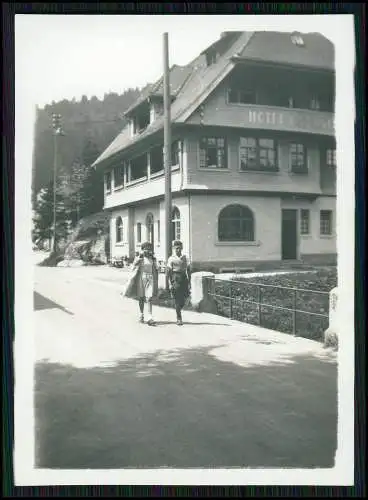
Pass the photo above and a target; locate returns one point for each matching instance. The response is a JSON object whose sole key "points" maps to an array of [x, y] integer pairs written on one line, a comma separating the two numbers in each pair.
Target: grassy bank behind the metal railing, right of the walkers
{"points": [[306, 299]]}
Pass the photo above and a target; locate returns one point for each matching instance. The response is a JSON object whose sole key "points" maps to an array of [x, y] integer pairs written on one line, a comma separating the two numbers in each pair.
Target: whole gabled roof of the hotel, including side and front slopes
{"points": [[192, 84]]}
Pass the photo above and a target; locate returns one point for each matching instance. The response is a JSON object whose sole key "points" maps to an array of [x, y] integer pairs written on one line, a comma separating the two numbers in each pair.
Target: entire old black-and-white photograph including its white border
{"points": [[183, 249]]}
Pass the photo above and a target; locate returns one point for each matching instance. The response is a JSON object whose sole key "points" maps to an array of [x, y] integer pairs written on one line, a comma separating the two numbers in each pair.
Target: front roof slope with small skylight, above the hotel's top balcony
{"points": [[277, 47]]}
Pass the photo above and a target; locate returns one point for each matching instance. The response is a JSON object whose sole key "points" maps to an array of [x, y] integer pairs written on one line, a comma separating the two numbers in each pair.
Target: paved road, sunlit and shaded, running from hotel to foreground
{"points": [[112, 393]]}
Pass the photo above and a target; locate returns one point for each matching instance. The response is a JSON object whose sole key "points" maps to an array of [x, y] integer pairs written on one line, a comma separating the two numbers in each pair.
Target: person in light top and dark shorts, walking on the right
{"points": [[179, 278]]}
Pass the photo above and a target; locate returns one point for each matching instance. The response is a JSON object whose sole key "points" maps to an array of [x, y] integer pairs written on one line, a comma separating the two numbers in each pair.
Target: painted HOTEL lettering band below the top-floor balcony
{"points": [[298, 121]]}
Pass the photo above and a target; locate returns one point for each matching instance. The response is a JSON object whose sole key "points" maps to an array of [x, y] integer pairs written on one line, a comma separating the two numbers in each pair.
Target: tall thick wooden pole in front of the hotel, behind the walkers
{"points": [[167, 148]]}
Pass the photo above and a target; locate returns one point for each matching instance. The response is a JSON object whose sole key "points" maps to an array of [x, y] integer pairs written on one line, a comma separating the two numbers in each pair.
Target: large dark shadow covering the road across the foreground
{"points": [[186, 409]]}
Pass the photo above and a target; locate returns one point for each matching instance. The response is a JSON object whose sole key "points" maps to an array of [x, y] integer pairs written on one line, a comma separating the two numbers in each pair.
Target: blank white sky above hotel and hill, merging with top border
{"points": [[66, 56]]}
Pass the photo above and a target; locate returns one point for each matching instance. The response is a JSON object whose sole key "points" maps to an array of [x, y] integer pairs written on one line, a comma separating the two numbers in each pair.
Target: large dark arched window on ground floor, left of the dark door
{"points": [[236, 223]]}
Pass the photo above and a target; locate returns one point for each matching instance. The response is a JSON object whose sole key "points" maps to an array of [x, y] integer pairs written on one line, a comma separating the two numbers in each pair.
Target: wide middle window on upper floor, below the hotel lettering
{"points": [[257, 154]]}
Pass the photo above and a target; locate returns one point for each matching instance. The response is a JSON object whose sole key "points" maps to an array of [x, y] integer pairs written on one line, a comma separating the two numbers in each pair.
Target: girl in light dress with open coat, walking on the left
{"points": [[146, 272]]}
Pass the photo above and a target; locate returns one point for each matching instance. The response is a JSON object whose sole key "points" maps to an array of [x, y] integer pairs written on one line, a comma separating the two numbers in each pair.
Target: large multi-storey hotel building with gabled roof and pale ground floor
{"points": [[253, 156]]}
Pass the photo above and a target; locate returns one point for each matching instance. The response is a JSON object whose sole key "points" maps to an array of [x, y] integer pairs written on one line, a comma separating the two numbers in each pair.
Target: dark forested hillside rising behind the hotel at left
{"points": [[89, 125]]}
